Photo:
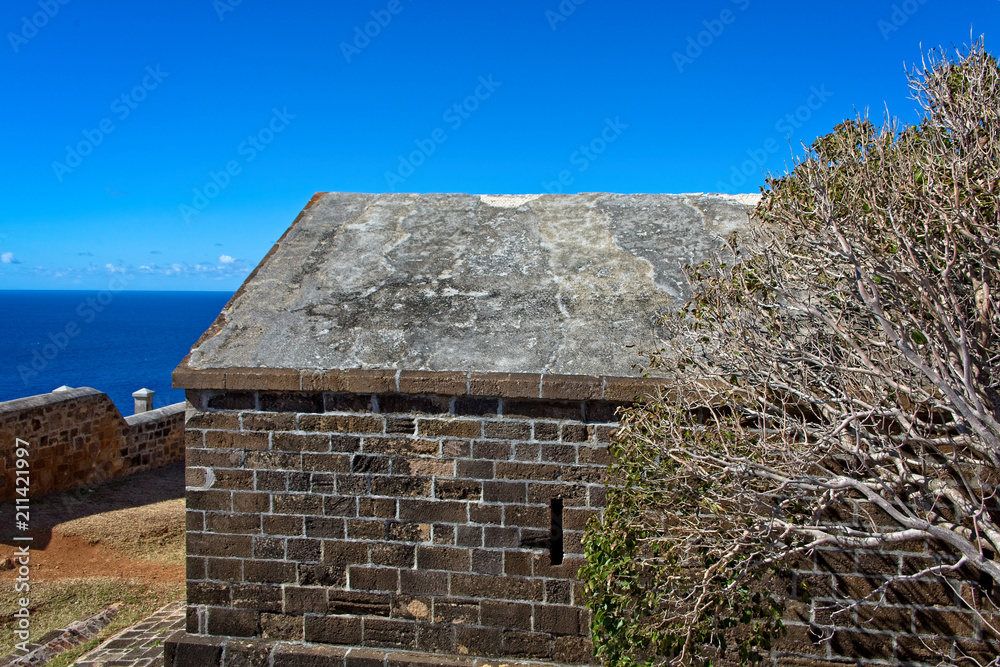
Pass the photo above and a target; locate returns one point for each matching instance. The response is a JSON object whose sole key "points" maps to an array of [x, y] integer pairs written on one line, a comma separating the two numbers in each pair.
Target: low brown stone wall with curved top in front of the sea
{"points": [[78, 437]]}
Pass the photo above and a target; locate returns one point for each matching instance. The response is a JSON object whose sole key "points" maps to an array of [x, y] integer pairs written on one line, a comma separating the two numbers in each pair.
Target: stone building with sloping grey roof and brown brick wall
{"points": [[397, 428]]}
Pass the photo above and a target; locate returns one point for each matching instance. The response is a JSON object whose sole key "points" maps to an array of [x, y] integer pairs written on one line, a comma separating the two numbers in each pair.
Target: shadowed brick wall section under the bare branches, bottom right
{"points": [[905, 616]]}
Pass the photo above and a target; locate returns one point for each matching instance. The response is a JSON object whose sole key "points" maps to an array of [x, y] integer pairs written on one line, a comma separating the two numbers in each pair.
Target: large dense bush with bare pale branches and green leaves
{"points": [[846, 356]]}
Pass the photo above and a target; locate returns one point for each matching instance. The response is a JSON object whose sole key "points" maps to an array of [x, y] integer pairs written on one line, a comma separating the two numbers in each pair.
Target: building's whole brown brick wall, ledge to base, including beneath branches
{"points": [[360, 519]]}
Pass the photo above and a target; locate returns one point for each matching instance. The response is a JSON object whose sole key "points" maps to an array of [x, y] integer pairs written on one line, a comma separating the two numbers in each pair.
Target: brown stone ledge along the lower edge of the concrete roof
{"points": [[445, 383]]}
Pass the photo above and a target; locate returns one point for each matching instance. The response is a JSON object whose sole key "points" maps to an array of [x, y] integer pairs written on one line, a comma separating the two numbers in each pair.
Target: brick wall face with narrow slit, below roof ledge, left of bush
{"points": [[394, 521]]}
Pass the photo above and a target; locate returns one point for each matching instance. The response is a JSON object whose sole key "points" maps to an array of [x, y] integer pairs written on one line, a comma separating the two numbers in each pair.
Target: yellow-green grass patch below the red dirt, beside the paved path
{"points": [[56, 604]]}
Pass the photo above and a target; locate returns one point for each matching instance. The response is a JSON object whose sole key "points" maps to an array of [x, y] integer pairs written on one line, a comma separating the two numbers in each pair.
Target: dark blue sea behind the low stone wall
{"points": [[115, 342]]}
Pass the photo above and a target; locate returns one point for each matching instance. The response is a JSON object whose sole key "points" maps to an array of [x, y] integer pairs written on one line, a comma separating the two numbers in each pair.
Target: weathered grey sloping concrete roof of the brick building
{"points": [[545, 284]]}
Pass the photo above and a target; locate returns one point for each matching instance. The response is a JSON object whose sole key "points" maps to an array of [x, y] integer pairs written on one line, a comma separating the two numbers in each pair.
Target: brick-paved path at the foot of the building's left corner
{"points": [[140, 645]]}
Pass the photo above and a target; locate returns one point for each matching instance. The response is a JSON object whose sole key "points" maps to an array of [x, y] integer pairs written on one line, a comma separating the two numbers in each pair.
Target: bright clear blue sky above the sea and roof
{"points": [[171, 143]]}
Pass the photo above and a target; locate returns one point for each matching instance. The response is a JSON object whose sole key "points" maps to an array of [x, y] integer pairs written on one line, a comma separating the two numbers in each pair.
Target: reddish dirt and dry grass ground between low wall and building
{"points": [[121, 542]]}
